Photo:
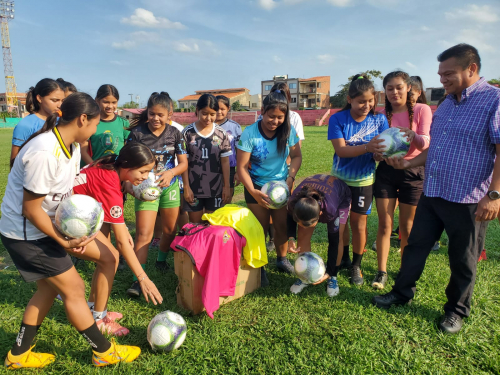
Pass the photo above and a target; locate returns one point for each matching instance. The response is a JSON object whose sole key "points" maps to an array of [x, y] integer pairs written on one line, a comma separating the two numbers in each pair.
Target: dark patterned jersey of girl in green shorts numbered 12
{"points": [[165, 146]]}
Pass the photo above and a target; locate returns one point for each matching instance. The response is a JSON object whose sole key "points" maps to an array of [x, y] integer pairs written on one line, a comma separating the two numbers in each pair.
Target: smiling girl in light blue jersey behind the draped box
{"points": [[262, 153]]}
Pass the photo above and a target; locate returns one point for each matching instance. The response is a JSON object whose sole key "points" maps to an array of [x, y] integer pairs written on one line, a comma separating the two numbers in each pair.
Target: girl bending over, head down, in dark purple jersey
{"points": [[319, 199]]}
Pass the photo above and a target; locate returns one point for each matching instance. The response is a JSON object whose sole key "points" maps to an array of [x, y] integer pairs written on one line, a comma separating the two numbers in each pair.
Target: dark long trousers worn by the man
{"points": [[466, 236]]}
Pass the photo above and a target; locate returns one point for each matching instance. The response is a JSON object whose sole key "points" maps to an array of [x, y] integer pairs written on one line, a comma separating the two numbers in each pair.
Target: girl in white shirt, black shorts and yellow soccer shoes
{"points": [[42, 175]]}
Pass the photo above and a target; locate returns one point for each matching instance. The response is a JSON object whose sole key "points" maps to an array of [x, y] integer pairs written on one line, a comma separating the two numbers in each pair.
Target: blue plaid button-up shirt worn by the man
{"points": [[461, 154]]}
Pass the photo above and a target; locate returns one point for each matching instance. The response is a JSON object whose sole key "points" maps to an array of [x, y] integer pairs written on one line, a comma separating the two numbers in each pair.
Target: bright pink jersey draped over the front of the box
{"points": [[216, 252]]}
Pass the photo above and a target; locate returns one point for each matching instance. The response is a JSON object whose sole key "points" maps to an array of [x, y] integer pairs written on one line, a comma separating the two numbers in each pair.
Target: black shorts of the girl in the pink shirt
{"points": [[405, 185]]}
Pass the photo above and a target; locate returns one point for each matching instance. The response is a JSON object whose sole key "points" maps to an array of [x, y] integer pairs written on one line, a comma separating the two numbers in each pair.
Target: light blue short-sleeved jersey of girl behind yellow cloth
{"points": [[266, 163]]}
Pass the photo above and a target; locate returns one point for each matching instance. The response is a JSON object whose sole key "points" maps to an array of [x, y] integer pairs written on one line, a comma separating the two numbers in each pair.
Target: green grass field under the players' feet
{"points": [[274, 332]]}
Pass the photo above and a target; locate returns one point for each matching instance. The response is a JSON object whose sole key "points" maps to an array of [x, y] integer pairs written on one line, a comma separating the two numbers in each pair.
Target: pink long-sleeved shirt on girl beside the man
{"points": [[422, 119]]}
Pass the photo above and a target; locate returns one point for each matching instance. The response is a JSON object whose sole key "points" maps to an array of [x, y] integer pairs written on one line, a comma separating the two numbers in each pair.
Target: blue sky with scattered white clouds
{"points": [[181, 46]]}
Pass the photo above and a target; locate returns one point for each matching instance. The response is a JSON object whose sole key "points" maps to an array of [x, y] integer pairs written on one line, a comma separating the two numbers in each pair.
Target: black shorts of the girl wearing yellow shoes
{"points": [[37, 259]]}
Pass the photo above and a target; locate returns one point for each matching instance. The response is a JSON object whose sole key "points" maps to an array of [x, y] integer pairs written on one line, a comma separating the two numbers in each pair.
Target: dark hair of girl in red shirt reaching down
{"points": [[133, 155]]}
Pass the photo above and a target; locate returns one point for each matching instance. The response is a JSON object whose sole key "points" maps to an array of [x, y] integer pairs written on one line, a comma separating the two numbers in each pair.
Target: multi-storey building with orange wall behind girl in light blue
{"points": [[305, 92]]}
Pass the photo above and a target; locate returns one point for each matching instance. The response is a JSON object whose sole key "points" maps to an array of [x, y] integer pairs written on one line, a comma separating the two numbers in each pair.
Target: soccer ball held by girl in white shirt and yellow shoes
{"points": [[78, 216]]}
